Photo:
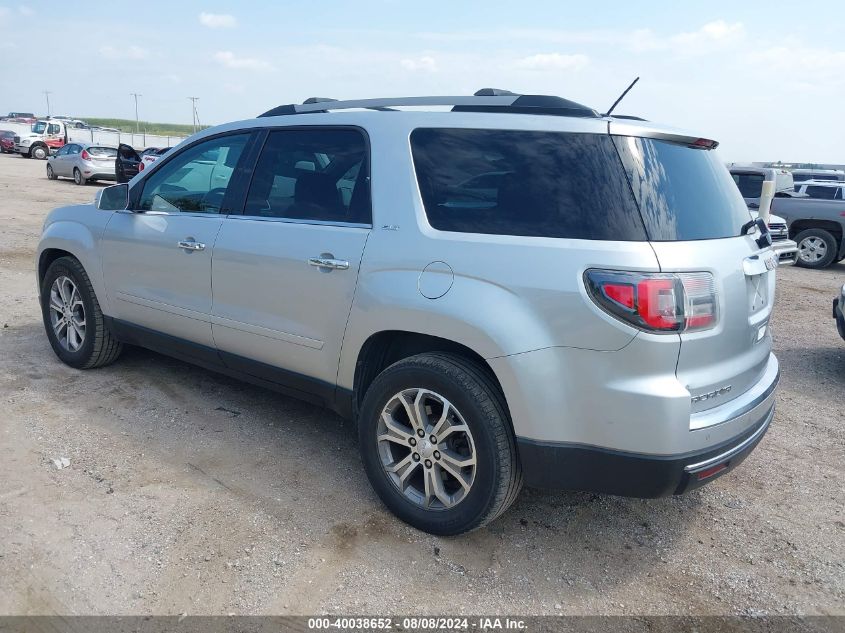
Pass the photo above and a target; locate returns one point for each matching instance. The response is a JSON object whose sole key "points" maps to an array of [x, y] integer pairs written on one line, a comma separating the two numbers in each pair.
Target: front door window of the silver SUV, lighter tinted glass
{"points": [[197, 179]]}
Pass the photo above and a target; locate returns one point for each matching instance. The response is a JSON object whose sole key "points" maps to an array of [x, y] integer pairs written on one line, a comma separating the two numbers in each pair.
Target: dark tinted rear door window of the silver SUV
{"points": [[313, 174]]}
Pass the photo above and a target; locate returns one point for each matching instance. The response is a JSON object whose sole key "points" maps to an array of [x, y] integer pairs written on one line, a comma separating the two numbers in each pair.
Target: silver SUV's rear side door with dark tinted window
{"points": [[285, 271]]}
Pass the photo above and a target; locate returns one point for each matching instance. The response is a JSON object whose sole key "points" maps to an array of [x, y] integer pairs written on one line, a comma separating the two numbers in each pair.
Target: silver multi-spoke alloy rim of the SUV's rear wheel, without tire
{"points": [[426, 449]]}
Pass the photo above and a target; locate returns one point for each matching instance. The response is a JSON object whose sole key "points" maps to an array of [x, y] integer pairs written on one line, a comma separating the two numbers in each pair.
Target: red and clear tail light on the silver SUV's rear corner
{"points": [[656, 302]]}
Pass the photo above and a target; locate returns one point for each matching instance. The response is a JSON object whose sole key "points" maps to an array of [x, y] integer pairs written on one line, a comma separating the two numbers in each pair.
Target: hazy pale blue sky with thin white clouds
{"points": [[765, 79]]}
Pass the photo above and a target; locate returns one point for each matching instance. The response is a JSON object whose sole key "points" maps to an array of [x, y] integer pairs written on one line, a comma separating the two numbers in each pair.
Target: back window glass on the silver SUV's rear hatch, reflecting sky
{"points": [[684, 193]]}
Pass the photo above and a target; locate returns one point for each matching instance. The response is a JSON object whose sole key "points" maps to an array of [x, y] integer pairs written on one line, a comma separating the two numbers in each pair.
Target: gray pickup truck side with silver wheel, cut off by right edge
{"points": [[816, 225]]}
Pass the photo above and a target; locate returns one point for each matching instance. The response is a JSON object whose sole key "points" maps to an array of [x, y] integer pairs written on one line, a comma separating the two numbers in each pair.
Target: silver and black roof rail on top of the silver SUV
{"points": [[485, 100]]}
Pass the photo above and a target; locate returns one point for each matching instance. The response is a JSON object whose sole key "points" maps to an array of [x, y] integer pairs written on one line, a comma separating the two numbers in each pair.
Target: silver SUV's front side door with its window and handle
{"points": [[157, 254]]}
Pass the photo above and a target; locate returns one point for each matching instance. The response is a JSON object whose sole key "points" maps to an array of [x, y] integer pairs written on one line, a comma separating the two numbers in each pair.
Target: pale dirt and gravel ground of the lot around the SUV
{"points": [[188, 492]]}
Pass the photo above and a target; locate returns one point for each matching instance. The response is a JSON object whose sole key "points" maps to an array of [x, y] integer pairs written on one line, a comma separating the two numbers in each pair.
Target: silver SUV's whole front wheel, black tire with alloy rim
{"points": [[72, 317]]}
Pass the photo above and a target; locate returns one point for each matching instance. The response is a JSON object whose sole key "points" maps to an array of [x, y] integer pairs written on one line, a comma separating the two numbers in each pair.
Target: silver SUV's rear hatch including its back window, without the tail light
{"points": [[694, 216]]}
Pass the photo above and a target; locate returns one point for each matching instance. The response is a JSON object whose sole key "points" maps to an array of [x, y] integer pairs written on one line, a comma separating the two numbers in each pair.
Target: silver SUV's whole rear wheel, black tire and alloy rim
{"points": [[437, 445]]}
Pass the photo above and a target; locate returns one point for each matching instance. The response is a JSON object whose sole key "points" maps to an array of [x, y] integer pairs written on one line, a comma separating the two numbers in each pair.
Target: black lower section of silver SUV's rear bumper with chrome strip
{"points": [[561, 466]]}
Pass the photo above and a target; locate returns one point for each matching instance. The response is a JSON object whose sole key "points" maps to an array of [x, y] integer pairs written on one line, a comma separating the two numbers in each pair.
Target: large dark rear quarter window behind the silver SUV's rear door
{"points": [[542, 184]]}
